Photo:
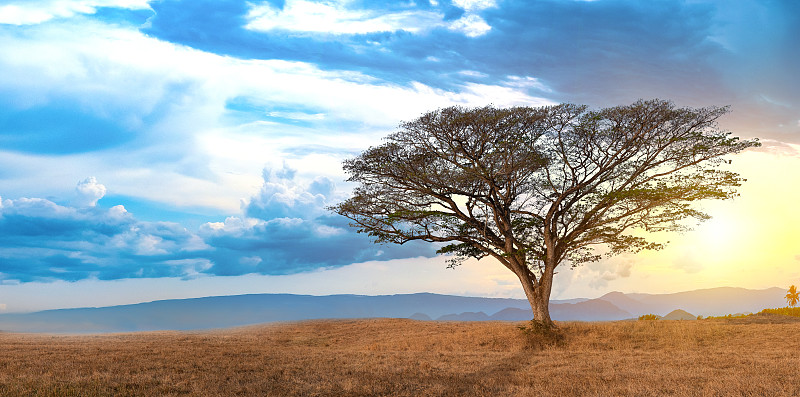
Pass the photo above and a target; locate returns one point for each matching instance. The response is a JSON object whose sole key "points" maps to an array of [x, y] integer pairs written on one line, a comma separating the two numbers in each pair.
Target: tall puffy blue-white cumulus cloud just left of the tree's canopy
{"points": [[285, 229]]}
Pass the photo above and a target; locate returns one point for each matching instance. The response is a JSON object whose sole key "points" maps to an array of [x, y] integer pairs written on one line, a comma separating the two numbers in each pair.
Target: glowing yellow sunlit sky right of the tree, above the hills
{"points": [[752, 241]]}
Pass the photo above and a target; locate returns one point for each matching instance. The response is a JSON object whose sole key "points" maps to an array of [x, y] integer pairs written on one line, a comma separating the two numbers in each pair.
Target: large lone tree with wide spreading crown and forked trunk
{"points": [[538, 187]]}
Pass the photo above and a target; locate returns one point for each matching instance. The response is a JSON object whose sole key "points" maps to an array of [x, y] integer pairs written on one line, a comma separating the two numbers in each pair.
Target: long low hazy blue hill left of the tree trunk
{"points": [[230, 311]]}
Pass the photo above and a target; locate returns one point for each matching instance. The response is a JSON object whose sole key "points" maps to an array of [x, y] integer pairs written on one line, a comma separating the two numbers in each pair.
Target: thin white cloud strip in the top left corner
{"points": [[35, 12]]}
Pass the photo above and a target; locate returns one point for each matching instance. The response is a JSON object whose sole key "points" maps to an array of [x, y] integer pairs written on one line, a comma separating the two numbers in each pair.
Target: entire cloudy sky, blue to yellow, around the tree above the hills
{"points": [[154, 149]]}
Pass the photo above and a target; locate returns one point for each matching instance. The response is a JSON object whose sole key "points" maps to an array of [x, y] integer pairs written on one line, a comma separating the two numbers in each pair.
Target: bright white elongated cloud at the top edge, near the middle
{"points": [[332, 17]]}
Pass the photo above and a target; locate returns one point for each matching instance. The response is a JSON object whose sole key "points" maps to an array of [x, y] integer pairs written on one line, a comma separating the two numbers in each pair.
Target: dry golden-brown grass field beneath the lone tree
{"points": [[391, 357]]}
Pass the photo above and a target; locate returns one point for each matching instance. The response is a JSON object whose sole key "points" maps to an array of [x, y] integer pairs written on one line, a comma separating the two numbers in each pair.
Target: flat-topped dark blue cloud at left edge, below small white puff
{"points": [[42, 240]]}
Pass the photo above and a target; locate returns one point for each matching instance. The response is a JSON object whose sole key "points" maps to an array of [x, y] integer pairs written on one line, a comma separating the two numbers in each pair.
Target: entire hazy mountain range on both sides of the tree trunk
{"points": [[237, 310]]}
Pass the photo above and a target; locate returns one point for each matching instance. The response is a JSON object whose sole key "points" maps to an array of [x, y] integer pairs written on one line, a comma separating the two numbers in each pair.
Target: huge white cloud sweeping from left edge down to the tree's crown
{"points": [[174, 97]]}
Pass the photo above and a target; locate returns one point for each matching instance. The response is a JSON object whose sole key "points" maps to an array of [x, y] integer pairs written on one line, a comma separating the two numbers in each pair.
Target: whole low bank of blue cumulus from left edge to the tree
{"points": [[284, 229]]}
